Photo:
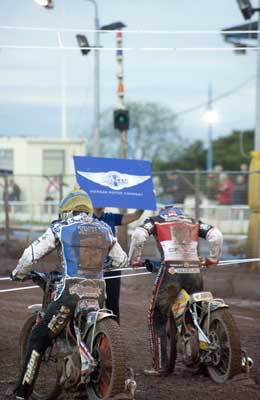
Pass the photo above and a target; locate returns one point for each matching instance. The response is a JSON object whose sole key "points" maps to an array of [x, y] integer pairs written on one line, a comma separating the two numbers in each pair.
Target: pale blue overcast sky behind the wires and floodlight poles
{"points": [[30, 79]]}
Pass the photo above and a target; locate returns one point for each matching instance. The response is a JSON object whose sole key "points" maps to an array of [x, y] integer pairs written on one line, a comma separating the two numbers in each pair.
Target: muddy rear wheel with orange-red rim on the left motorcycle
{"points": [[109, 350]]}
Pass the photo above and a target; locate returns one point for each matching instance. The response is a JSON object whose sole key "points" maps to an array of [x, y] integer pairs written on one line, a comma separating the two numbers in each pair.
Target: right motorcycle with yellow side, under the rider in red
{"points": [[201, 329]]}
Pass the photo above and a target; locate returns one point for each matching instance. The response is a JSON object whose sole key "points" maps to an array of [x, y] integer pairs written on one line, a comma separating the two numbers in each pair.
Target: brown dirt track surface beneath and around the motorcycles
{"points": [[135, 295]]}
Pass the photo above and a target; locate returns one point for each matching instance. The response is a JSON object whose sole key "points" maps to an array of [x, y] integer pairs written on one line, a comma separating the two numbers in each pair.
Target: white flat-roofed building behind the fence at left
{"points": [[32, 160]]}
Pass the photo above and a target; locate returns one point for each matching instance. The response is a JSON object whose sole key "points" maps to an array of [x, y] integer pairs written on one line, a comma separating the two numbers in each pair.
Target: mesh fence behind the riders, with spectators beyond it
{"points": [[217, 198]]}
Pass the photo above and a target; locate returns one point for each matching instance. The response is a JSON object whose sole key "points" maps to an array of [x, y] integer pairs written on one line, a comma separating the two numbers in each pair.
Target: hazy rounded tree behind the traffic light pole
{"points": [[152, 135]]}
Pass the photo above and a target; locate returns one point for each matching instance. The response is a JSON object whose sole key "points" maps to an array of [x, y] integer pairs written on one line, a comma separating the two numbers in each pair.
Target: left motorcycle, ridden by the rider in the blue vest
{"points": [[89, 354]]}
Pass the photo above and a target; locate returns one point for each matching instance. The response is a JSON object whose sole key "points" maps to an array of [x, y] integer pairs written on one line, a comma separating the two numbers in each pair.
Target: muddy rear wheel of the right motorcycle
{"points": [[224, 333]]}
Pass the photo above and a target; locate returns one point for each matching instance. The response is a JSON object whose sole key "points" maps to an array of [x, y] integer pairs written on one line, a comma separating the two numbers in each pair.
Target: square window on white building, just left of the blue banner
{"points": [[53, 162]]}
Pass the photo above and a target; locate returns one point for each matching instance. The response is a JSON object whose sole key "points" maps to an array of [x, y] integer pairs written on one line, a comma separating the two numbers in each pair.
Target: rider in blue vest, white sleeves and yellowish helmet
{"points": [[83, 243]]}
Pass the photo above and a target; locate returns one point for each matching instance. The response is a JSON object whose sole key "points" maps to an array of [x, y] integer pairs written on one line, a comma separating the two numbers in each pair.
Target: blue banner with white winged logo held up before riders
{"points": [[114, 182]]}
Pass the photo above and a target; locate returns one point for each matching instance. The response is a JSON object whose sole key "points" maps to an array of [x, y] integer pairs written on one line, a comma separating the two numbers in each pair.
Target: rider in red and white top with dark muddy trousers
{"points": [[177, 238]]}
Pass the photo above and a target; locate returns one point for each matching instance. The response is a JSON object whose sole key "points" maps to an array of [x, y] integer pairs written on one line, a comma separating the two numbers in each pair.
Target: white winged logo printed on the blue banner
{"points": [[114, 179]]}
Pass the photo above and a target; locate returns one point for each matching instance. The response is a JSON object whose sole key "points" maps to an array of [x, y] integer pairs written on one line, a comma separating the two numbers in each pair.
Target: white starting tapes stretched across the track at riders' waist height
{"points": [[221, 263]]}
